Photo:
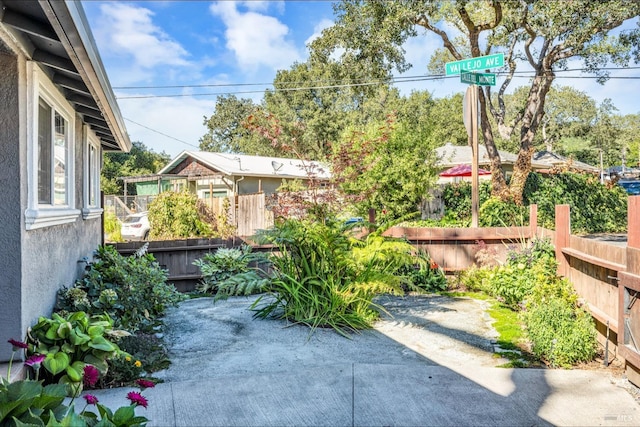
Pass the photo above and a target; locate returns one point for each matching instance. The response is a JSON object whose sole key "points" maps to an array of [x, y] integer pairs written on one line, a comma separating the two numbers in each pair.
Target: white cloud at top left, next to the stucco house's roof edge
{"points": [[127, 30]]}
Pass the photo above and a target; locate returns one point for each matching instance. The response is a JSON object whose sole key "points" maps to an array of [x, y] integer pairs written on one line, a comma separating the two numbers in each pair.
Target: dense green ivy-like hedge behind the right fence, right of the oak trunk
{"points": [[595, 208]]}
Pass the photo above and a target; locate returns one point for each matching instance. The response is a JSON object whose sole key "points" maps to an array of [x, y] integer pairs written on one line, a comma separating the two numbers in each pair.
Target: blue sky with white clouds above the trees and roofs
{"points": [[186, 43]]}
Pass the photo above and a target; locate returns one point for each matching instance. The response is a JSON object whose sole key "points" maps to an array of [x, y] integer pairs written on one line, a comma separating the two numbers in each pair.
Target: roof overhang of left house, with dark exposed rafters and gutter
{"points": [[56, 34]]}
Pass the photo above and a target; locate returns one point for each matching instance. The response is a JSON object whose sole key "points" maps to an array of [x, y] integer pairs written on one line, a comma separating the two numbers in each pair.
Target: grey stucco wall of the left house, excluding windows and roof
{"points": [[37, 262]]}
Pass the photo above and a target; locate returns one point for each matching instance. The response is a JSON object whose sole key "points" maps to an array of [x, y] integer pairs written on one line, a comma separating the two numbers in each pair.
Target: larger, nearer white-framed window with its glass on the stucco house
{"points": [[50, 152]]}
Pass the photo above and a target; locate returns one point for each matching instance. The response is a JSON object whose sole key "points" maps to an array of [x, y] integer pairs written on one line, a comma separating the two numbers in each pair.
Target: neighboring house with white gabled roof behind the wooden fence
{"points": [[225, 175]]}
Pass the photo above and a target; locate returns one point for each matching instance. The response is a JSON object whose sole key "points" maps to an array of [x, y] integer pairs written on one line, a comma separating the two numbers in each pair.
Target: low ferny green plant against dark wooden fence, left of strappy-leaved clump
{"points": [[228, 272]]}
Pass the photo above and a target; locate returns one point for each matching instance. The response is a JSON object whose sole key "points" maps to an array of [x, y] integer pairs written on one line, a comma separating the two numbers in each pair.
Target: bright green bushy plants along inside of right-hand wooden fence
{"points": [[561, 332]]}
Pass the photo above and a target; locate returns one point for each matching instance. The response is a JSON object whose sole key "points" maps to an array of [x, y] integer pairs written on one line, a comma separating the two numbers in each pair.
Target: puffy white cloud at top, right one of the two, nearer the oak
{"points": [[255, 39]]}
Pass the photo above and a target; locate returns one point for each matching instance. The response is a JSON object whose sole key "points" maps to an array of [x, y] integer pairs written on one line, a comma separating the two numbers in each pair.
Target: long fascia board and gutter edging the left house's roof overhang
{"points": [[70, 23]]}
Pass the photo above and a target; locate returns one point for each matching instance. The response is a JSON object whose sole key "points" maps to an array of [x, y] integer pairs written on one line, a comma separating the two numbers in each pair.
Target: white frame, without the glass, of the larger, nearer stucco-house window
{"points": [[40, 215]]}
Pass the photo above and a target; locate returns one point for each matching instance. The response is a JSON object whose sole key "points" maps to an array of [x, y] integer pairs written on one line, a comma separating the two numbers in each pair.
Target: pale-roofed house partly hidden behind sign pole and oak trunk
{"points": [[450, 155]]}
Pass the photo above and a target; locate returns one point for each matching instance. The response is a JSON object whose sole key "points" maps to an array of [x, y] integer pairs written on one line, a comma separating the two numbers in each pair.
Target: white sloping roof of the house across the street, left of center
{"points": [[243, 165]]}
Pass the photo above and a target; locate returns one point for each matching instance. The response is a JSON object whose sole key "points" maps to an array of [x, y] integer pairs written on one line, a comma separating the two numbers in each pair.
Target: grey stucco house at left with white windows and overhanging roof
{"points": [[58, 114]]}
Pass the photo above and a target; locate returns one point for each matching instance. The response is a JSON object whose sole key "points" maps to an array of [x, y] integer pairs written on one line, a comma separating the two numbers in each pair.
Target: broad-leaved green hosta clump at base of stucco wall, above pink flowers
{"points": [[69, 342]]}
